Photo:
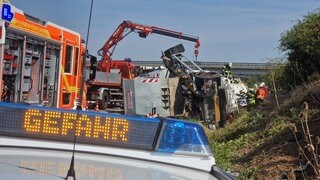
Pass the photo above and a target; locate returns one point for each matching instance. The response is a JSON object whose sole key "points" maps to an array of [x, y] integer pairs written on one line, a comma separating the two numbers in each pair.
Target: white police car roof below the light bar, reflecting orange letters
{"points": [[30, 163]]}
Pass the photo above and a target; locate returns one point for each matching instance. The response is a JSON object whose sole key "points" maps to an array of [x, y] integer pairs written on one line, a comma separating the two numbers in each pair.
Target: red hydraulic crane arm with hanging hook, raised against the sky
{"points": [[107, 50]]}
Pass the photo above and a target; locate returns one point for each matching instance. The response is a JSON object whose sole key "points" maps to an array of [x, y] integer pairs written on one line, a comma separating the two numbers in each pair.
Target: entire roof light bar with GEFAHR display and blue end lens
{"points": [[106, 129]]}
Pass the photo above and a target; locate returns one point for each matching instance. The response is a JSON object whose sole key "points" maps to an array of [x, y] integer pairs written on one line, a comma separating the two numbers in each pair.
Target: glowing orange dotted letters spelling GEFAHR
{"points": [[52, 122]]}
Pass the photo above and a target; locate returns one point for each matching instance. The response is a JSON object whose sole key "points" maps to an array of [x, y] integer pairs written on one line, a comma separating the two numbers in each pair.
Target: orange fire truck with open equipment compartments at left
{"points": [[40, 62]]}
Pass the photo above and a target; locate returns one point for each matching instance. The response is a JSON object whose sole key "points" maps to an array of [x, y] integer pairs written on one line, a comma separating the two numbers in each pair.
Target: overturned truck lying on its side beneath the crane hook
{"points": [[183, 89]]}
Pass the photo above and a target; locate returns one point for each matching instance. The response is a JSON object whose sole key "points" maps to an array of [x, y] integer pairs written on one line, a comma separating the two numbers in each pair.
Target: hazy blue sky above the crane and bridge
{"points": [[229, 30]]}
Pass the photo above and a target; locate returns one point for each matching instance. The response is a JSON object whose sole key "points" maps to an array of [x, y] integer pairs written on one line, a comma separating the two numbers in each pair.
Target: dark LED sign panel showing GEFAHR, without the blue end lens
{"points": [[88, 127]]}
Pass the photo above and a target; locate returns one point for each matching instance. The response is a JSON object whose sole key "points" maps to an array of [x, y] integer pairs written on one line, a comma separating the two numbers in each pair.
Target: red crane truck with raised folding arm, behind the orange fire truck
{"points": [[106, 76]]}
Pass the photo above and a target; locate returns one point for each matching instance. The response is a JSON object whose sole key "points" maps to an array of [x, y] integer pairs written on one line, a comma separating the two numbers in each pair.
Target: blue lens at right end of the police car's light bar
{"points": [[183, 137]]}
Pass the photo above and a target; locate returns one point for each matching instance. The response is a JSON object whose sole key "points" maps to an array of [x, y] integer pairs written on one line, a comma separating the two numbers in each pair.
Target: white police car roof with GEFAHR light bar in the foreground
{"points": [[49, 143]]}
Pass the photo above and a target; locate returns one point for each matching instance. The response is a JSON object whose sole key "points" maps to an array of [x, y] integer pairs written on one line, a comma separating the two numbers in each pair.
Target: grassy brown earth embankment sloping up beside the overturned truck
{"points": [[260, 143]]}
